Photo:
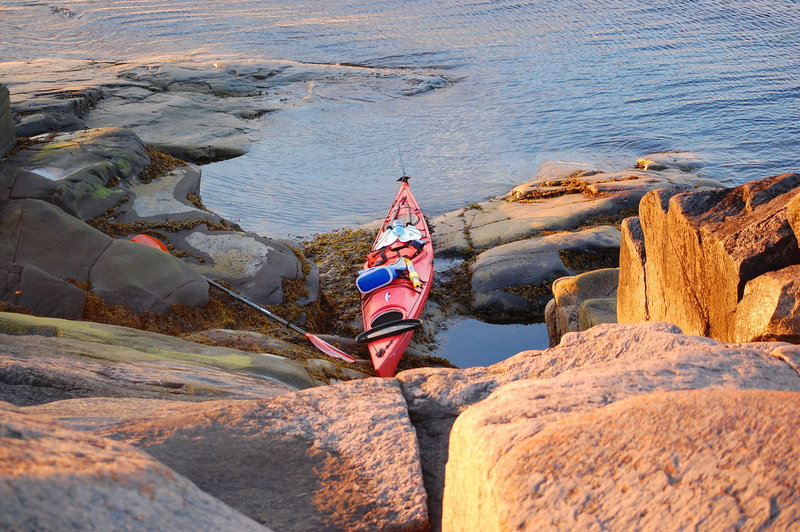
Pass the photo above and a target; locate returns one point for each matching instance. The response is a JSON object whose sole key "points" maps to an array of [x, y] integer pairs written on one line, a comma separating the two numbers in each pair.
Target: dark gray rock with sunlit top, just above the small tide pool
{"points": [[501, 275]]}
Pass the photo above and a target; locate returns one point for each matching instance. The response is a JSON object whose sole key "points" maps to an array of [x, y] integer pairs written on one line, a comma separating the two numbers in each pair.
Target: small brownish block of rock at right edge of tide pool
{"points": [[581, 301]]}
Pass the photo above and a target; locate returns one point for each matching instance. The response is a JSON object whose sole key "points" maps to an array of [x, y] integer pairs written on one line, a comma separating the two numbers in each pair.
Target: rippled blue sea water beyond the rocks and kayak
{"points": [[603, 81]]}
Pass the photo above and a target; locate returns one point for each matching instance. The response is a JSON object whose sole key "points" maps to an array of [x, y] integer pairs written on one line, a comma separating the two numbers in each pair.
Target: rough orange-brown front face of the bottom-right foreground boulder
{"points": [[662, 461]]}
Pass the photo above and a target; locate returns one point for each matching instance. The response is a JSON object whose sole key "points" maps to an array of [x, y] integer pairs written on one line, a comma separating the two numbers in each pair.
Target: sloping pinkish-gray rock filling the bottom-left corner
{"points": [[58, 479]]}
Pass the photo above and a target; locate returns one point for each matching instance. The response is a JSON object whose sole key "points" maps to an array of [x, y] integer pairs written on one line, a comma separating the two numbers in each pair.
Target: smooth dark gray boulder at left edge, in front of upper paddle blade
{"points": [[119, 272]]}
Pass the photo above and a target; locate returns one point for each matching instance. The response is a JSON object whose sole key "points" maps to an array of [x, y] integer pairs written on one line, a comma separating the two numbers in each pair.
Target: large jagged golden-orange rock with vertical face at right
{"points": [[702, 248]]}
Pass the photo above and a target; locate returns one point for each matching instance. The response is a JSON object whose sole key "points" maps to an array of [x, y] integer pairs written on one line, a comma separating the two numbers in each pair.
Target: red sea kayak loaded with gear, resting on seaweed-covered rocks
{"points": [[395, 282]]}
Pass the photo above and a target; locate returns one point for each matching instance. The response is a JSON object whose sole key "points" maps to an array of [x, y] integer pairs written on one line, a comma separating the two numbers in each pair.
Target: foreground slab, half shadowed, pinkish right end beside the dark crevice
{"points": [[341, 457]]}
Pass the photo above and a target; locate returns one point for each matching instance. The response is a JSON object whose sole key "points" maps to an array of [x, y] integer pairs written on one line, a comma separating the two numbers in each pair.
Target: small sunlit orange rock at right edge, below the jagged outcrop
{"points": [[770, 308]]}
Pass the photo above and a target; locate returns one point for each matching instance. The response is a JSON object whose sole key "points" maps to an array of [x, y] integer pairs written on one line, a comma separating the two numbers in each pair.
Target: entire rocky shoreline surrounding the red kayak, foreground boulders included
{"points": [[200, 414]]}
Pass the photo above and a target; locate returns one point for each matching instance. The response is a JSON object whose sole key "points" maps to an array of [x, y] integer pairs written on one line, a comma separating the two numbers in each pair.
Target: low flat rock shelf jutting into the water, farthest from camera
{"points": [[199, 112]]}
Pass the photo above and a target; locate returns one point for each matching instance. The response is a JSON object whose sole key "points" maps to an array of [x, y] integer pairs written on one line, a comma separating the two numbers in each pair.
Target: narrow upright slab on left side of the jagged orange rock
{"points": [[631, 292]]}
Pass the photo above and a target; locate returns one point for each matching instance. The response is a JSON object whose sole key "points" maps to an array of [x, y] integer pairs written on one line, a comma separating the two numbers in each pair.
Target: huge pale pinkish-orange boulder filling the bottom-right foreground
{"points": [[496, 481]]}
